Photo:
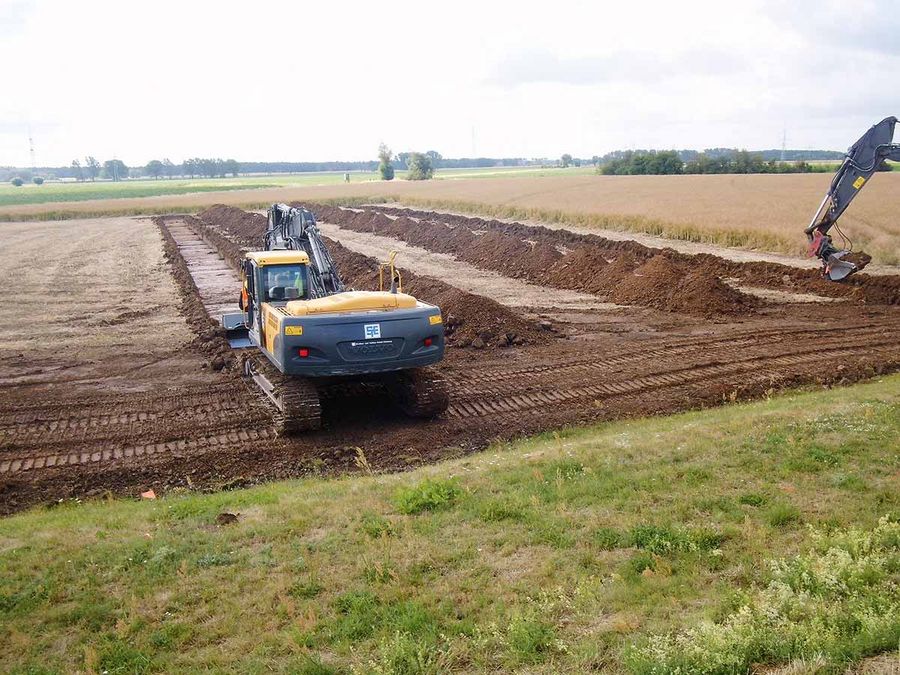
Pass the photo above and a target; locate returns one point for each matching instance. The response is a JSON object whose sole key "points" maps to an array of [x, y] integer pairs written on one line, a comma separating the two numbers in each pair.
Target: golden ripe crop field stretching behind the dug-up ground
{"points": [[763, 212]]}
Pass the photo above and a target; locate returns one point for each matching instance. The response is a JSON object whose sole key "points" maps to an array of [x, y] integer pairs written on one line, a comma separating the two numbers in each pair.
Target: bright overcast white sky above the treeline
{"points": [[330, 80]]}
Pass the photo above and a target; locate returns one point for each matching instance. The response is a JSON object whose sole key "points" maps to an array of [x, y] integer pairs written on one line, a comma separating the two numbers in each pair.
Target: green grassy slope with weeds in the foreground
{"points": [[702, 542]]}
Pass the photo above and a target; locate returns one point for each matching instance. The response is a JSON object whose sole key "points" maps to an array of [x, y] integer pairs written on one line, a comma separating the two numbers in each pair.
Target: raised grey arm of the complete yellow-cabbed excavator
{"points": [[295, 228]]}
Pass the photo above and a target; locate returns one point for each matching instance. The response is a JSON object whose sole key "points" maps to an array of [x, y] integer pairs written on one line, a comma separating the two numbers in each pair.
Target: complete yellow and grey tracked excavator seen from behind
{"points": [[309, 331]]}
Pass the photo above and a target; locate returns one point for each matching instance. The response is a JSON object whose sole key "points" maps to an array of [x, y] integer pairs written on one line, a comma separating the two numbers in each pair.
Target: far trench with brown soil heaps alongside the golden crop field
{"points": [[615, 270]]}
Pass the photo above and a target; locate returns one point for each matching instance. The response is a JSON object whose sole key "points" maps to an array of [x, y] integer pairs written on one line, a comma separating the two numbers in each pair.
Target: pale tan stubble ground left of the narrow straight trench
{"points": [[86, 294]]}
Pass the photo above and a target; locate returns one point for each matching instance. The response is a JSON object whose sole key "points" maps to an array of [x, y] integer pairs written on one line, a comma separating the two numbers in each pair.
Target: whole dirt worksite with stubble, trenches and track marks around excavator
{"points": [[138, 393]]}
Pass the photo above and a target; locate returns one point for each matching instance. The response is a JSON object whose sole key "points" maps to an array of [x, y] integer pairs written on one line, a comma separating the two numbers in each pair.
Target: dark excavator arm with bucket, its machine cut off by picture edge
{"points": [[862, 160]]}
